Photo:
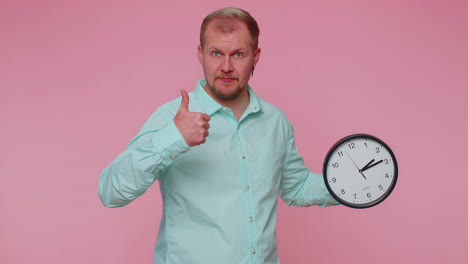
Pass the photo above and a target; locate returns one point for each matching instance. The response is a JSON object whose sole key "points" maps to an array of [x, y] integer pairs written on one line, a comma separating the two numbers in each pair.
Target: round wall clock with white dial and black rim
{"points": [[360, 171]]}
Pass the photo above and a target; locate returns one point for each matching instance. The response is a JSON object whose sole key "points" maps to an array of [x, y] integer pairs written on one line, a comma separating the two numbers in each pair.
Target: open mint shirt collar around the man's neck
{"points": [[210, 106]]}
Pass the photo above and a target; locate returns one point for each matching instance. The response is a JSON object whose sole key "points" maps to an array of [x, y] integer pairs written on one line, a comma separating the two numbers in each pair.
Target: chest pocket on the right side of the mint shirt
{"points": [[266, 162]]}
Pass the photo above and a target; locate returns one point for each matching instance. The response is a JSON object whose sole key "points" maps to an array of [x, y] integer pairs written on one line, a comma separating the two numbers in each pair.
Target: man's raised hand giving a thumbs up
{"points": [[193, 126]]}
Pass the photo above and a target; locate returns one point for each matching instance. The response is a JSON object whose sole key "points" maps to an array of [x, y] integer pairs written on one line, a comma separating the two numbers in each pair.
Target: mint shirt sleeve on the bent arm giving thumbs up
{"points": [[147, 156]]}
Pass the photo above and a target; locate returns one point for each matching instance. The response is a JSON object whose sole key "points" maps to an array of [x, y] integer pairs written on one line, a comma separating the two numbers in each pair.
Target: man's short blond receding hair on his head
{"points": [[235, 13]]}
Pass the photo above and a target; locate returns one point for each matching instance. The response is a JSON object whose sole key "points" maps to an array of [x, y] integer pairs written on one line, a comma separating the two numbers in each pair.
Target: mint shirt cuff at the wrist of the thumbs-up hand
{"points": [[169, 143]]}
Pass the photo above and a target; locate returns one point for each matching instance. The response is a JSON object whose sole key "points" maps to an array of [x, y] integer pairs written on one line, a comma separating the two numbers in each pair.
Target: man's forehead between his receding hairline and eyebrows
{"points": [[227, 30]]}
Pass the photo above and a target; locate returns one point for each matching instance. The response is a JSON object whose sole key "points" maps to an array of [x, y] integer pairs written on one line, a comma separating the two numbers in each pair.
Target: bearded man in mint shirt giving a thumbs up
{"points": [[221, 155]]}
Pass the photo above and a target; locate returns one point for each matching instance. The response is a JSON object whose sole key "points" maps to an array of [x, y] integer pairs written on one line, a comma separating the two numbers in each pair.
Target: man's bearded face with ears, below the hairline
{"points": [[227, 59]]}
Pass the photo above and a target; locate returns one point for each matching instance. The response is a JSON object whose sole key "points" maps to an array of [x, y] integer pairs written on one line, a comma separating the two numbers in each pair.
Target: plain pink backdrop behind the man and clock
{"points": [[78, 79]]}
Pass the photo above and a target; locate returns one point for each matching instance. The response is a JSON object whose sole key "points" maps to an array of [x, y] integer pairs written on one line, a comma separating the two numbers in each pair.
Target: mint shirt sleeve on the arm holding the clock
{"points": [[299, 186]]}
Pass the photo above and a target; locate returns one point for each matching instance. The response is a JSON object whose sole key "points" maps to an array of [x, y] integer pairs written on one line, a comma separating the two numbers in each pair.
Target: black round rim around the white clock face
{"points": [[357, 205]]}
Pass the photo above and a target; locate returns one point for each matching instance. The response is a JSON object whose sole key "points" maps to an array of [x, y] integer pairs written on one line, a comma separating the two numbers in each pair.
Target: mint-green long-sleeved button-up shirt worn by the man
{"points": [[219, 198]]}
